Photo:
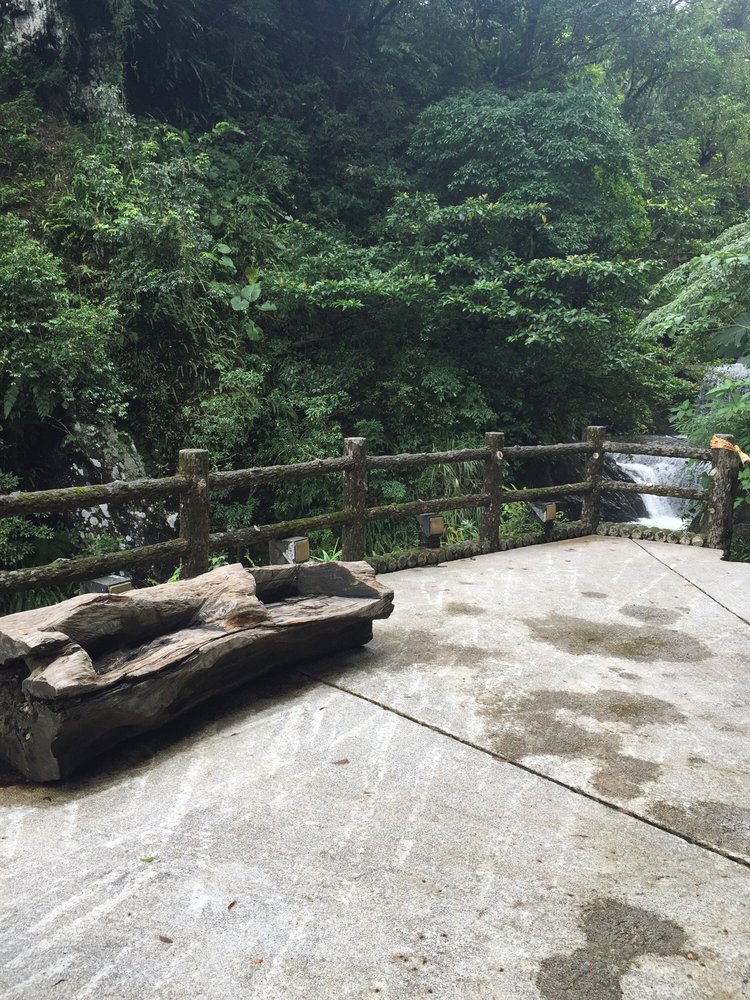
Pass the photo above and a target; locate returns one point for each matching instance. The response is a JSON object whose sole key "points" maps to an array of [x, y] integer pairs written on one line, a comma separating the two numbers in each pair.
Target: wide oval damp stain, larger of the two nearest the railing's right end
{"points": [[578, 636]]}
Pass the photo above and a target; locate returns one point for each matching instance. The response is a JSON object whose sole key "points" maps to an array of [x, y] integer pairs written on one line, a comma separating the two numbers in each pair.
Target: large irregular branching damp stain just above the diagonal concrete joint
{"points": [[540, 724]]}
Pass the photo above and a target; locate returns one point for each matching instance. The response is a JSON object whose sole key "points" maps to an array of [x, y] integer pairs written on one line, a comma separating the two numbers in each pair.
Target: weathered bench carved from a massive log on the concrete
{"points": [[90, 672]]}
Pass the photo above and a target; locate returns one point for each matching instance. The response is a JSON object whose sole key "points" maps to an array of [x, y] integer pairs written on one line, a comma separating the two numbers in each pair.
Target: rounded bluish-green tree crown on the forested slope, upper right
{"points": [[569, 151]]}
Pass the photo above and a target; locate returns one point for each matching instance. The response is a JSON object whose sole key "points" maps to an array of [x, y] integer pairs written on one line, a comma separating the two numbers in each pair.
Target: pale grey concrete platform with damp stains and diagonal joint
{"points": [[532, 784]]}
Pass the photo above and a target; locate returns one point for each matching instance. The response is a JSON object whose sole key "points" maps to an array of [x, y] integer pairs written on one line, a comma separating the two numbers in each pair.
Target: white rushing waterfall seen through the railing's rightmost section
{"points": [[662, 512]]}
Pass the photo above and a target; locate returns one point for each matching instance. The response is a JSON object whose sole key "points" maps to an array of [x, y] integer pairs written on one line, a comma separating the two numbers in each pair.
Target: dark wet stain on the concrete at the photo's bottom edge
{"points": [[616, 935]]}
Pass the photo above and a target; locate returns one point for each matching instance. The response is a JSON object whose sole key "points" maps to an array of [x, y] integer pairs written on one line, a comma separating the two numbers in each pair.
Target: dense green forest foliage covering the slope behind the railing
{"points": [[258, 226]]}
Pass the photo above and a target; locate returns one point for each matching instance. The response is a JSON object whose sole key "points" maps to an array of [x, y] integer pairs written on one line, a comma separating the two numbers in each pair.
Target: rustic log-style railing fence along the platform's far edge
{"points": [[194, 483]]}
